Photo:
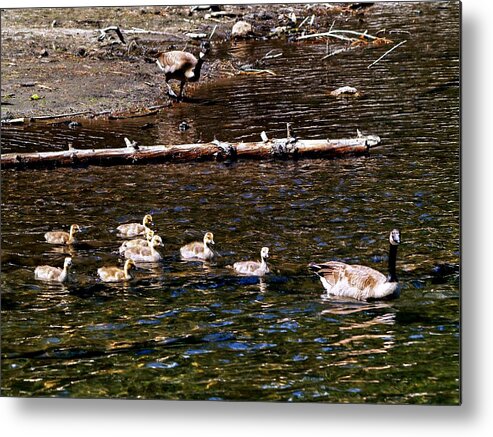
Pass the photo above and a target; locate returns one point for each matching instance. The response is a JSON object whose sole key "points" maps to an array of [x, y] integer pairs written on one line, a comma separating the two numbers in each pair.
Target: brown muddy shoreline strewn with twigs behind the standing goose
{"points": [[53, 61]]}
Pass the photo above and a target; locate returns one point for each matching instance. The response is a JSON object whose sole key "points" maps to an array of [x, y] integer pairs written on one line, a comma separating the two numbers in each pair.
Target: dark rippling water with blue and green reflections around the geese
{"points": [[191, 331]]}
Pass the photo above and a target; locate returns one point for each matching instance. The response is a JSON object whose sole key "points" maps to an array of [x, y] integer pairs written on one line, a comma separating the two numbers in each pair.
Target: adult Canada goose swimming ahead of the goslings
{"points": [[360, 282]]}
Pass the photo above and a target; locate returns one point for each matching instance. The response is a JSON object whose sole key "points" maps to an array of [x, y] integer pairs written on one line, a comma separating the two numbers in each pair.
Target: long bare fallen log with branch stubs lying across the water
{"points": [[287, 148]]}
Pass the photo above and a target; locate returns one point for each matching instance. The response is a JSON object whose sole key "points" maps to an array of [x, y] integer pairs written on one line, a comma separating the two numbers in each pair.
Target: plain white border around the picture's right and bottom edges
{"points": [[56, 417]]}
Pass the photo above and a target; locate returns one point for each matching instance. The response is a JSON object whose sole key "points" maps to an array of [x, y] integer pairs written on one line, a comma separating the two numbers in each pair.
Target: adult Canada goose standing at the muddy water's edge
{"points": [[182, 66]]}
